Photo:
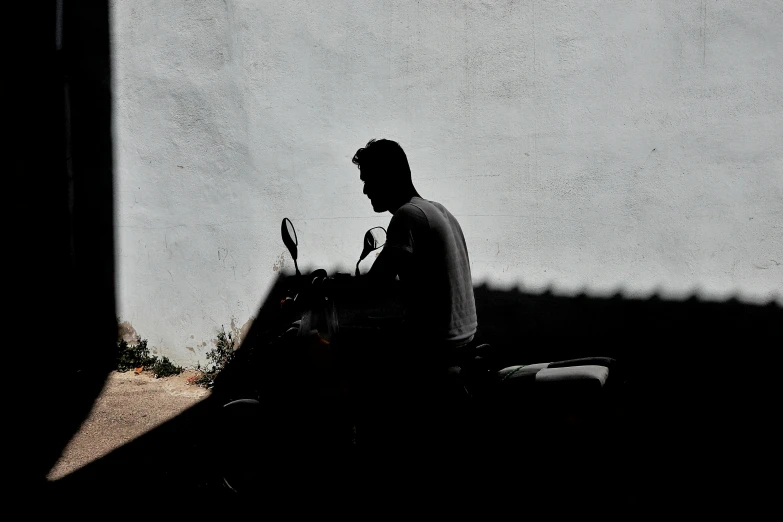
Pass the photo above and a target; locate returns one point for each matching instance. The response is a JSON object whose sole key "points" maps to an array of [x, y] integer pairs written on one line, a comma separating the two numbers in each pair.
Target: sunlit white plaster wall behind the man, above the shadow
{"points": [[592, 145]]}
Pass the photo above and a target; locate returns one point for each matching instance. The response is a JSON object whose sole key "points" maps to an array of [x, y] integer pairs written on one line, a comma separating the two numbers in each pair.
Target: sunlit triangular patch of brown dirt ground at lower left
{"points": [[129, 406]]}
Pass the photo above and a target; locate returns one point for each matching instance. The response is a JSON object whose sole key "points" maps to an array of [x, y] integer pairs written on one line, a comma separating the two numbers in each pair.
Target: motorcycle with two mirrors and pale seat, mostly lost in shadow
{"points": [[303, 415]]}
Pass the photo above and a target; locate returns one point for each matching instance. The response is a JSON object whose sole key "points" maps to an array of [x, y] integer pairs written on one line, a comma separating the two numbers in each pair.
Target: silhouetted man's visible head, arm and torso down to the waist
{"points": [[425, 247]]}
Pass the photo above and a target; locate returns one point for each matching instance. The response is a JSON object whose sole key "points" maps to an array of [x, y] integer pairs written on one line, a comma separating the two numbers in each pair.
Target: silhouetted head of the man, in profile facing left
{"points": [[383, 167]]}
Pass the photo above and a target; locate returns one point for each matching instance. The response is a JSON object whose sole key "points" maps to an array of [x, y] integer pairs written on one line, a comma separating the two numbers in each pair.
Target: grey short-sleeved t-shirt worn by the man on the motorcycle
{"points": [[438, 290]]}
